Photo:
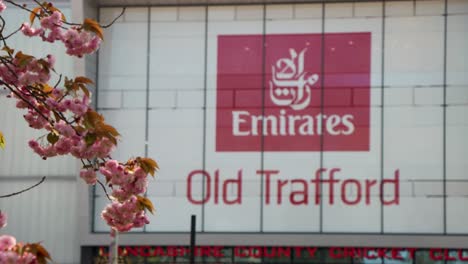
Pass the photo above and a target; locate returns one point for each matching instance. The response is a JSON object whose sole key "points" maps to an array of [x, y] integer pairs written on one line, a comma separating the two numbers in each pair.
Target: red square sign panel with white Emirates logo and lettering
{"points": [[293, 95]]}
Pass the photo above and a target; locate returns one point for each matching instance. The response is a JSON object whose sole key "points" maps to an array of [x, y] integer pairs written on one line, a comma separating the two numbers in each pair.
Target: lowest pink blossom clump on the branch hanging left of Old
{"points": [[126, 215]]}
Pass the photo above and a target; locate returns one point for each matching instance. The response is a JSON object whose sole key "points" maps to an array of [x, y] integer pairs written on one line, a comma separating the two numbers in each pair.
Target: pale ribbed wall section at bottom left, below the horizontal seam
{"points": [[47, 214]]}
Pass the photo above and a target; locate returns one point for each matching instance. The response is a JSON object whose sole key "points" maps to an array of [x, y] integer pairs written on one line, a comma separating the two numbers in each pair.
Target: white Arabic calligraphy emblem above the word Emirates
{"points": [[289, 85]]}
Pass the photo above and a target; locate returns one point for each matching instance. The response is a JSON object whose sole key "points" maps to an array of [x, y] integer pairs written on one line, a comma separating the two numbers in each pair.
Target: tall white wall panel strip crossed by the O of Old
{"points": [[175, 123]]}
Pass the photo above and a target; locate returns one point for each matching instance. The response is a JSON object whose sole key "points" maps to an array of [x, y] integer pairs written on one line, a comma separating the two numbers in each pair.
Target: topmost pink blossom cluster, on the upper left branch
{"points": [[77, 41]]}
